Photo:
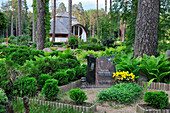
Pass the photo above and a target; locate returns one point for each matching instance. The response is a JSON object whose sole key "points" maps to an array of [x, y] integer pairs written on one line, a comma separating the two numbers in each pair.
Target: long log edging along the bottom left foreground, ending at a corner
{"points": [[56, 105]]}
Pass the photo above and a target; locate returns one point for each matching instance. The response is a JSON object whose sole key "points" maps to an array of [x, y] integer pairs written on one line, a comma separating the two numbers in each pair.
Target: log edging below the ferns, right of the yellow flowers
{"points": [[155, 85]]}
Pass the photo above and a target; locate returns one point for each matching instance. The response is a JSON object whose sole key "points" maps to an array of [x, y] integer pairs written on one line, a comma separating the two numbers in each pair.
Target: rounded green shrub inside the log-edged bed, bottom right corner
{"points": [[157, 99]]}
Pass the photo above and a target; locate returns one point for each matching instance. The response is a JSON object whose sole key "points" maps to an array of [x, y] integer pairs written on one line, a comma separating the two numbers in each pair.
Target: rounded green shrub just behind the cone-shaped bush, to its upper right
{"points": [[62, 78]]}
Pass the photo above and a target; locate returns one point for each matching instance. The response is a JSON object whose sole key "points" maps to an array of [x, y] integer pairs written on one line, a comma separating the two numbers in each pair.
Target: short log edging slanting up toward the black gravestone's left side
{"points": [[70, 86]]}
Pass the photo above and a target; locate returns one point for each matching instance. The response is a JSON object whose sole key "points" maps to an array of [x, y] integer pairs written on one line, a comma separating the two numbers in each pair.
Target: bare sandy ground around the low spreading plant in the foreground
{"points": [[106, 107]]}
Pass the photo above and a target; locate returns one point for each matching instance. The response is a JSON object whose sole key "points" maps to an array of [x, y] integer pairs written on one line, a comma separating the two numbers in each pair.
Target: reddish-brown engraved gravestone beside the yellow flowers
{"points": [[104, 72]]}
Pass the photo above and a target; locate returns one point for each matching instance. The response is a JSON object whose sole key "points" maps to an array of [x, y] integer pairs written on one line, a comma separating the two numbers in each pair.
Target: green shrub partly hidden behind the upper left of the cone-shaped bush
{"points": [[41, 80]]}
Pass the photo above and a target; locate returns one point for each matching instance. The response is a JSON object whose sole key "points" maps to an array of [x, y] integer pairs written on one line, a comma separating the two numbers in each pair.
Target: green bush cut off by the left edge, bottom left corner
{"points": [[3, 99]]}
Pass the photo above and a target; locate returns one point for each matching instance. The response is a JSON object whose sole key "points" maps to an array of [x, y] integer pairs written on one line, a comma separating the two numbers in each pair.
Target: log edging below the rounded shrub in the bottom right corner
{"points": [[140, 109]]}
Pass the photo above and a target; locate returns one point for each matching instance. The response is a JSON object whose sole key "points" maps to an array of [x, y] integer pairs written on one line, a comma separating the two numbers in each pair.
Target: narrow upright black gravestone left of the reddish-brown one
{"points": [[91, 69]]}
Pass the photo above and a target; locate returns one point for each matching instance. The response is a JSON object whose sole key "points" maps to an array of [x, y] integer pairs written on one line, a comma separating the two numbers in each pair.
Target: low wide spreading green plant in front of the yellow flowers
{"points": [[124, 93]]}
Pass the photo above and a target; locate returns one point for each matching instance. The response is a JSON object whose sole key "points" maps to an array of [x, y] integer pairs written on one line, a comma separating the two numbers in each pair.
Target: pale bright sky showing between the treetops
{"points": [[87, 4]]}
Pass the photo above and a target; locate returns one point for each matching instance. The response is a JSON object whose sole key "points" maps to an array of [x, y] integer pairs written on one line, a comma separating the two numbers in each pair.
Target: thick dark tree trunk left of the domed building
{"points": [[41, 34]]}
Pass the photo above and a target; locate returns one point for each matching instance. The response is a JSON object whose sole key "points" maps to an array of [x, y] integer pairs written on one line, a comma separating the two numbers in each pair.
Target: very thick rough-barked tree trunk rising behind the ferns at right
{"points": [[146, 36]]}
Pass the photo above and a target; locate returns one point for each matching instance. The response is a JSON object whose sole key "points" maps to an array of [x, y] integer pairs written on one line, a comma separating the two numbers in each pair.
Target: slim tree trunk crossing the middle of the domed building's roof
{"points": [[70, 18]]}
